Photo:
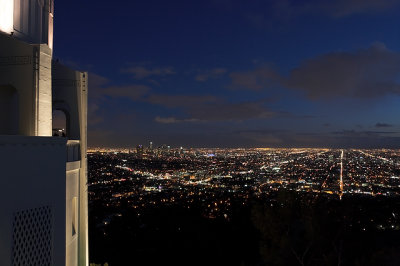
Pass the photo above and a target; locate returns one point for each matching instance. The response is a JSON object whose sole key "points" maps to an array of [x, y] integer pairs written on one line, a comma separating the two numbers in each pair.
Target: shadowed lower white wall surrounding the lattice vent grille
{"points": [[32, 175]]}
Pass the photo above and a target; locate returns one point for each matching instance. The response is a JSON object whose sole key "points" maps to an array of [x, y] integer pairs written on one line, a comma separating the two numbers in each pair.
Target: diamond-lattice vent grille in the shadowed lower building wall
{"points": [[32, 237]]}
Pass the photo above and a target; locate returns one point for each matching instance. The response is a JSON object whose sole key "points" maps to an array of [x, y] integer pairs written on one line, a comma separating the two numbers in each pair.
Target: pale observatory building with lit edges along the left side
{"points": [[43, 178]]}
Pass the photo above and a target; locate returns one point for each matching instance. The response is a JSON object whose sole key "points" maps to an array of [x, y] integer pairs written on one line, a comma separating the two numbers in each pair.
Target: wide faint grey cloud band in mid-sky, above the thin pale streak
{"points": [[210, 108]]}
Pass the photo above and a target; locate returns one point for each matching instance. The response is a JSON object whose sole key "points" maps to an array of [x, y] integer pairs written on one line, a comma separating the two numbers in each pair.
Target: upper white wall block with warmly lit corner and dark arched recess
{"points": [[27, 68]]}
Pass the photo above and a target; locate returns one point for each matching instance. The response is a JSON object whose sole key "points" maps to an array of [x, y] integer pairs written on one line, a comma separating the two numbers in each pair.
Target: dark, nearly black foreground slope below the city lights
{"points": [[283, 229]]}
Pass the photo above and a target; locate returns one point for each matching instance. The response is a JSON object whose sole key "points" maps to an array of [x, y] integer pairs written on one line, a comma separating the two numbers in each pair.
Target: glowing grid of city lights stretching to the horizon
{"points": [[166, 176]]}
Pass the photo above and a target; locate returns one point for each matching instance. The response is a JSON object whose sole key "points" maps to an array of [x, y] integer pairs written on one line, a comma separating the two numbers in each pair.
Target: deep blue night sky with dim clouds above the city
{"points": [[236, 73]]}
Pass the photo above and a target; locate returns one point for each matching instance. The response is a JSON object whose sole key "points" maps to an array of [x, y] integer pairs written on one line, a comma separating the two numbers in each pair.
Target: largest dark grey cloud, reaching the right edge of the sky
{"points": [[365, 73]]}
